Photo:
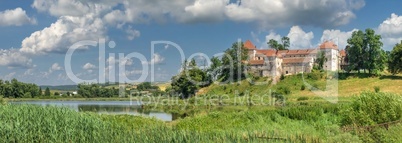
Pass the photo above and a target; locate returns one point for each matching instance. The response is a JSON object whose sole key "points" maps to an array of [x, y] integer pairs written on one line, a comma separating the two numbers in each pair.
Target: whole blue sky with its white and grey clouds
{"points": [[35, 35]]}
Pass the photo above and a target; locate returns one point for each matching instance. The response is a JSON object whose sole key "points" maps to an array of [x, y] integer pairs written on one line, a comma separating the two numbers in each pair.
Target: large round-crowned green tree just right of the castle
{"points": [[364, 52]]}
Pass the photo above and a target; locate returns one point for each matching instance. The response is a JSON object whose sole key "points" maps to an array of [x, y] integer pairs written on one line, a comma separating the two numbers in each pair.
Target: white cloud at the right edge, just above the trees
{"points": [[391, 31]]}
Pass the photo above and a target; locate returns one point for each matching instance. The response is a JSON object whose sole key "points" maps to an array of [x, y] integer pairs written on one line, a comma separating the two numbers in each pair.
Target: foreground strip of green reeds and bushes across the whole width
{"points": [[313, 122]]}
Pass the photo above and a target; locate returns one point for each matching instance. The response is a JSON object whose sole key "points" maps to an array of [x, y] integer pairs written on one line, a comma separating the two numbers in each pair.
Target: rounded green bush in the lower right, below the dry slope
{"points": [[373, 108]]}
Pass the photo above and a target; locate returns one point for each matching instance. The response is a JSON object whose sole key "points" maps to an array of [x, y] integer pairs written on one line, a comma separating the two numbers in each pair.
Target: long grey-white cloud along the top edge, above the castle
{"points": [[279, 13]]}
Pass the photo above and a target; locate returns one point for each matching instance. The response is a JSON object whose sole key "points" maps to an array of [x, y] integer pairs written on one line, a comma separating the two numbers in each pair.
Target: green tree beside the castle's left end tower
{"points": [[234, 63]]}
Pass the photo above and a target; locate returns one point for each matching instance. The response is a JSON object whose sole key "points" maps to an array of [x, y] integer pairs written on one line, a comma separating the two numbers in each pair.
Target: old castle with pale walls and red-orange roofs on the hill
{"points": [[274, 63]]}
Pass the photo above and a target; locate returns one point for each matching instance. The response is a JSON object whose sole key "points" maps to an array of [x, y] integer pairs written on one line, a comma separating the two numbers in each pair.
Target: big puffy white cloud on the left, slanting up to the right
{"points": [[62, 34]]}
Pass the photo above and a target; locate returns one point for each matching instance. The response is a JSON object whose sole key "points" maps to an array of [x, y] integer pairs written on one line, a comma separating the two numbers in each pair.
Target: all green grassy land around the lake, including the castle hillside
{"points": [[369, 110]]}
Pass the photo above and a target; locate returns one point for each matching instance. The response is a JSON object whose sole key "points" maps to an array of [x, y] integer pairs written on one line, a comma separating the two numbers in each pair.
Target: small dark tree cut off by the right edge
{"points": [[395, 59]]}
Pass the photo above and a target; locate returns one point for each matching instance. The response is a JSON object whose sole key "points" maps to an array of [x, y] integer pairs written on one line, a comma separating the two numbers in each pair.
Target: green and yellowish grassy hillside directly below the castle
{"points": [[348, 85]]}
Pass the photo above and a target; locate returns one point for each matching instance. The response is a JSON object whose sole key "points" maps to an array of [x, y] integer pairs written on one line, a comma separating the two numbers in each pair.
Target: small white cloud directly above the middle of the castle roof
{"points": [[299, 38]]}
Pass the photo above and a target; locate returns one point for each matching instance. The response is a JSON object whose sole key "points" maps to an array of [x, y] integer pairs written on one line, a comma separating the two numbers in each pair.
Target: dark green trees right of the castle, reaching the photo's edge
{"points": [[364, 52]]}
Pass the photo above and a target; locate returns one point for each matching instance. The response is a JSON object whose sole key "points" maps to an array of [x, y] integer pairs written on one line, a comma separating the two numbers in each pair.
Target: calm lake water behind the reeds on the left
{"points": [[104, 107]]}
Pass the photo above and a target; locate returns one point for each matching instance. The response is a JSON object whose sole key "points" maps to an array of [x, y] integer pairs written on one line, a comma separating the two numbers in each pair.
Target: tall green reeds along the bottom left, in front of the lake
{"points": [[30, 123]]}
